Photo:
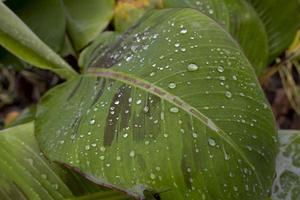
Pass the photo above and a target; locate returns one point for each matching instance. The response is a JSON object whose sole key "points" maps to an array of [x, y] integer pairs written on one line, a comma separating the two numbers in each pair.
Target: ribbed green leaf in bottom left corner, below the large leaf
{"points": [[25, 174]]}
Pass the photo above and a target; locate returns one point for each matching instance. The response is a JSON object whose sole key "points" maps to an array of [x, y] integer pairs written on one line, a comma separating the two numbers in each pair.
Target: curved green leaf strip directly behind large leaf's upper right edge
{"points": [[242, 22]]}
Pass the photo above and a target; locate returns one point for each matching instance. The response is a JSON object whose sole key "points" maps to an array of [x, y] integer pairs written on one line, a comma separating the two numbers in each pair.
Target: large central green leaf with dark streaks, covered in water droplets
{"points": [[175, 111]]}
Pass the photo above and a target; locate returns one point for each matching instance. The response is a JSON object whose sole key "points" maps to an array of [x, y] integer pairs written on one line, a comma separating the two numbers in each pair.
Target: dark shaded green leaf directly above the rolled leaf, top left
{"points": [[45, 18]]}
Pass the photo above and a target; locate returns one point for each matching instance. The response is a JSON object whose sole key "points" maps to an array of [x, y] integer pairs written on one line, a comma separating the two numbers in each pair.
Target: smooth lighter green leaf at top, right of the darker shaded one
{"points": [[85, 20]]}
